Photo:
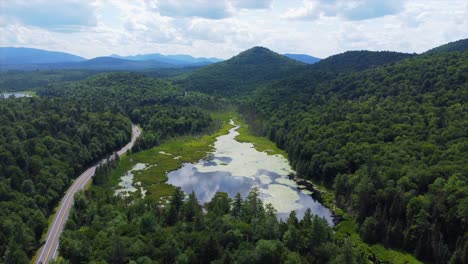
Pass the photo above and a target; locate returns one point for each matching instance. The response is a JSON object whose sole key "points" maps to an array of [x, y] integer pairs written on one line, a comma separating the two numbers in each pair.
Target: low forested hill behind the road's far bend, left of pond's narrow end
{"points": [[162, 109]]}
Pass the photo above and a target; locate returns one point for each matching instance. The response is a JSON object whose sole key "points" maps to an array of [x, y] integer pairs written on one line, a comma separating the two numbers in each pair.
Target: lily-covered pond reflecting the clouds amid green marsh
{"points": [[236, 167]]}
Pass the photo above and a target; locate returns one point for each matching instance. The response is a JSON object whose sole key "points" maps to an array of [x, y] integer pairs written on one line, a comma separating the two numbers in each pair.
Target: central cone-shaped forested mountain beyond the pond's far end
{"points": [[240, 74]]}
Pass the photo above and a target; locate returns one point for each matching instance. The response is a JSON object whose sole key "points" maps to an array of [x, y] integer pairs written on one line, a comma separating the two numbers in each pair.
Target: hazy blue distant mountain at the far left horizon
{"points": [[9, 55]]}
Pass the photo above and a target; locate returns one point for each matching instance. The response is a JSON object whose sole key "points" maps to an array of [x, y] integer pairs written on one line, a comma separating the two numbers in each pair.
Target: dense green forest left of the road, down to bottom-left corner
{"points": [[44, 145]]}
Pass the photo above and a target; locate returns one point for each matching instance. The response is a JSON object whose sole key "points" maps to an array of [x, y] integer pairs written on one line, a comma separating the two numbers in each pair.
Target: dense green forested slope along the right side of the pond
{"points": [[392, 141]]}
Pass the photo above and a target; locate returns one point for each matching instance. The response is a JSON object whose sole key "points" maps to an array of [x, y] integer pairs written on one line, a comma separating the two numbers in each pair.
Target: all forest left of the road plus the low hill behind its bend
{"points": [[47, 141]]}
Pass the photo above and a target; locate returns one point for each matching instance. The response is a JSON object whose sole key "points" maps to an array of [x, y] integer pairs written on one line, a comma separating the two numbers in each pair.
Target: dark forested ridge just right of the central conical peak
{"points": [[359, 60]]}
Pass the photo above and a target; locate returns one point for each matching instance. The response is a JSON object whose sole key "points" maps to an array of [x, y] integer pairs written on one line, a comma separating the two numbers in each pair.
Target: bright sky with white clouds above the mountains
{"points": [[223, 28]]}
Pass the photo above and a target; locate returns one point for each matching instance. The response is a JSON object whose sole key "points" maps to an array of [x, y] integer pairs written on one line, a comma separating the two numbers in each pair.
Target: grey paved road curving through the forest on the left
{"points": [[50, 248]]}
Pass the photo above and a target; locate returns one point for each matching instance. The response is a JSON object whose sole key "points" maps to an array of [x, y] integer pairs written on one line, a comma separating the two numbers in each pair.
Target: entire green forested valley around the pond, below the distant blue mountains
{"points": [[380, 136]]}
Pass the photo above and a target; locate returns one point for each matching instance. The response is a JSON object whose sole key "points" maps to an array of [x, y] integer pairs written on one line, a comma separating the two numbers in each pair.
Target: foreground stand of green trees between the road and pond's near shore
{"points": [[103, 228]]}
